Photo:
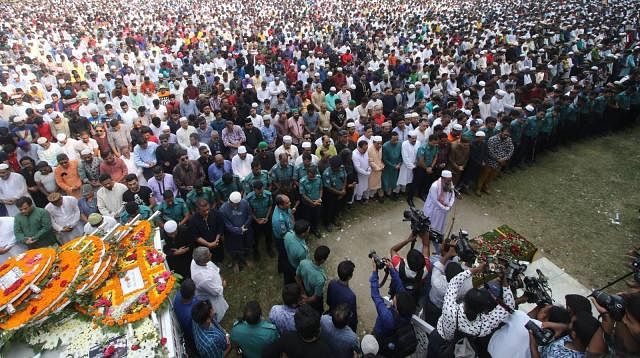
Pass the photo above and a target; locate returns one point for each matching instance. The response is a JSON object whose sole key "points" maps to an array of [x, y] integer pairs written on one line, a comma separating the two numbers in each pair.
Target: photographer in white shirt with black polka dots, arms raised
{"points": [[476, 317]]}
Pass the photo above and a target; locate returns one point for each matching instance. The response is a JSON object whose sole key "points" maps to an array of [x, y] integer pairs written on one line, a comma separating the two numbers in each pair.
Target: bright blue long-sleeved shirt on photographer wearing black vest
{"points": [[386, 321]]}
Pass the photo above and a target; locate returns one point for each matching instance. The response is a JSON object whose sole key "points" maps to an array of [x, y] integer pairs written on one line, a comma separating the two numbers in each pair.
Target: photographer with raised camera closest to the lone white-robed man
{"points": [[414, 270]]}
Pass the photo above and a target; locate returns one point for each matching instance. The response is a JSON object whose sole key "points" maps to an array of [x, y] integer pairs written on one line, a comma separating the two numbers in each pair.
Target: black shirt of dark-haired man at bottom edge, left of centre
{"points": [[293, 346]]}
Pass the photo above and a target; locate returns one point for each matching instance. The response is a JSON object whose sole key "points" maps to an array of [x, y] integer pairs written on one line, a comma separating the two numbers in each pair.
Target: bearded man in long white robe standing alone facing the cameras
{"points": [[439, 201]]}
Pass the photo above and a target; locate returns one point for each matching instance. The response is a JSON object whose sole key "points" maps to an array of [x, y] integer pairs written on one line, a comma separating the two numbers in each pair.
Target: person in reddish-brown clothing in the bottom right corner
{"points": [[618, 337]]}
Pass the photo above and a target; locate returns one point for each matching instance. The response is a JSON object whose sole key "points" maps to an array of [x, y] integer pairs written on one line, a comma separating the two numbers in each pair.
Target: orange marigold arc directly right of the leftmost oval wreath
{"points": [[52, 293]]}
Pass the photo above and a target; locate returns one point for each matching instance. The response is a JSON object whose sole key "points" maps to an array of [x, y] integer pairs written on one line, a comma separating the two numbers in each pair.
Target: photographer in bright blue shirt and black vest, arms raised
{"points": [[393, 325]]}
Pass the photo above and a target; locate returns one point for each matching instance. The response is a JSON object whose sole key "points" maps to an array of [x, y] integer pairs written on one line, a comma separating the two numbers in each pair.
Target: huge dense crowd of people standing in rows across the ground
{"points": [[264, 121]]}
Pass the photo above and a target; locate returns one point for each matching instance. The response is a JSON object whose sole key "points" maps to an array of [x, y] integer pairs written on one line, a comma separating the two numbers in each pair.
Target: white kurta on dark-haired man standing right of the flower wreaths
{"points": [[209, 287]]}
